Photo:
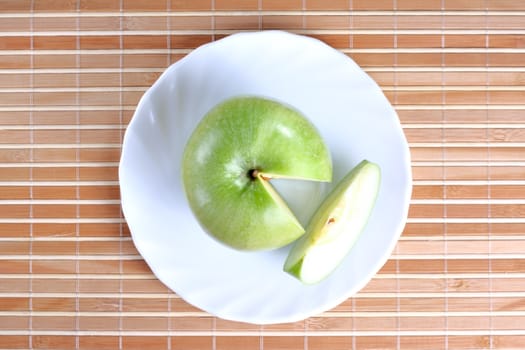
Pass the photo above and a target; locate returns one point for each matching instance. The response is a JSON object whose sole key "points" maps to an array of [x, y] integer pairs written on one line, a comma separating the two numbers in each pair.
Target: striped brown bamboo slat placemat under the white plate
{"points": [[71, 74]]}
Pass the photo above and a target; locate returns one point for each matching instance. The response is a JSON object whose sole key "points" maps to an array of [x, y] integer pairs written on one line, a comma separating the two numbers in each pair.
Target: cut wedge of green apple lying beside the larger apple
{"points": [[336, 225]]}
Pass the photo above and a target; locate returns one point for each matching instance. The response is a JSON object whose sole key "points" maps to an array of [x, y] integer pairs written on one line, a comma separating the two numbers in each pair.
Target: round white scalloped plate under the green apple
{"points": [[352, 115]]}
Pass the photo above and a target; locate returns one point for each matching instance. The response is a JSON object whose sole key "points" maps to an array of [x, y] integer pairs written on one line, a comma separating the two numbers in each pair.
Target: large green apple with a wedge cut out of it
{"points": [[229, 160]]}
